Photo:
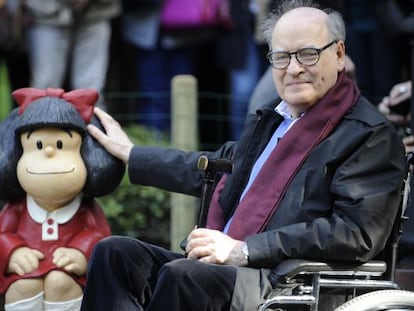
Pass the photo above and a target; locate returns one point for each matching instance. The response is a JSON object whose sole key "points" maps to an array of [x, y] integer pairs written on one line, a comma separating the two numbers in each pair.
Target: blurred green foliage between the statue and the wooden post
{"points": [[135, 210]]}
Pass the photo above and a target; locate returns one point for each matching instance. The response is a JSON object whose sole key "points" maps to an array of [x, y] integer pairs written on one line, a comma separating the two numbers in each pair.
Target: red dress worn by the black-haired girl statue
{"points": [[82, 231]]}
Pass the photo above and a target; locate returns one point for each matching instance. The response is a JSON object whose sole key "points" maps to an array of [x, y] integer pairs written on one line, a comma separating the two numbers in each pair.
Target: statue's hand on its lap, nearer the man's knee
{"points": [[70, 260]]}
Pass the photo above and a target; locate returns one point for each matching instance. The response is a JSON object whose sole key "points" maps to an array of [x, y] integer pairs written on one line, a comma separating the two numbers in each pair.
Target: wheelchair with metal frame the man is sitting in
{"points": [[338, 286]]}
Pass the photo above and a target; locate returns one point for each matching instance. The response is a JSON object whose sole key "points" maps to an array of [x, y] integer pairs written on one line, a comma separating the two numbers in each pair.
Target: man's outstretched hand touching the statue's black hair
{"points": [[115, 141]]}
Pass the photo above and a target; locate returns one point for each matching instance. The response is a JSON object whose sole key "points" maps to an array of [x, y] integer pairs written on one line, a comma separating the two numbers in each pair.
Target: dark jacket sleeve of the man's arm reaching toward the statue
{"points": [[171, 169]]}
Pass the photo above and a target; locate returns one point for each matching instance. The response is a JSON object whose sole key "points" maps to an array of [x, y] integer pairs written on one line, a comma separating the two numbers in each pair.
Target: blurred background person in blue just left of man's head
{"points": [[242, 54]]}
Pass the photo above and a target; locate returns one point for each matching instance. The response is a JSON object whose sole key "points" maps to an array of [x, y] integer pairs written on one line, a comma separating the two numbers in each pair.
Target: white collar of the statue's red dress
{"points": [[61, 215]]}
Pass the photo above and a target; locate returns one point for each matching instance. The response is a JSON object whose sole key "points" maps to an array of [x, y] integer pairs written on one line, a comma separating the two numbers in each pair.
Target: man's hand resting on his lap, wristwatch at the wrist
{"points": [[213, 246]]}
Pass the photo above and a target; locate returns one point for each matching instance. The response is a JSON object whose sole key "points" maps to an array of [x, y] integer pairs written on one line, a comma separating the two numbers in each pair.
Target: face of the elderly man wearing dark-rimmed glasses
{"points": [[303, 86]]}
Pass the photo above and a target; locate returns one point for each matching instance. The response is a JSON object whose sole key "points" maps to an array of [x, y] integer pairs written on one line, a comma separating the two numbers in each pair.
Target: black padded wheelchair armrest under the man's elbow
{"points": [[290, 268]]}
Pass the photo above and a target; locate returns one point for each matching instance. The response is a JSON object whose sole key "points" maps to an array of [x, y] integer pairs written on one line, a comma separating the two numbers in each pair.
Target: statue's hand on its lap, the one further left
{"points": [[24, 260]]}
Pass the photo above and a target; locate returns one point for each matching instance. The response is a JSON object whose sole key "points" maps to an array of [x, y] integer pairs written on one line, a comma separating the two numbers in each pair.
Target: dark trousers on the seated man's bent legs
{"points": [[126, 274]]}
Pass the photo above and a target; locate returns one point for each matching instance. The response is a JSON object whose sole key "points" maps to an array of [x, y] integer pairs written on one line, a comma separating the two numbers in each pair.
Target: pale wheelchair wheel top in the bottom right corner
{"points": [[380, 300]]}
